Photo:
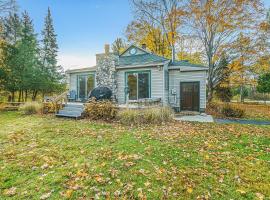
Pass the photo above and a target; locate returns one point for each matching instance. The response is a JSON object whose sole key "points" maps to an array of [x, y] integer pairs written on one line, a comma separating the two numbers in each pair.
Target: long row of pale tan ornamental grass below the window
{"points": [[145, 116]]}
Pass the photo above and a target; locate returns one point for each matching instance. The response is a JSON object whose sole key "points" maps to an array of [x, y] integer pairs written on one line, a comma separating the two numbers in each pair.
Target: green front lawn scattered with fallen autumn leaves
{"points": [[43, 157]]}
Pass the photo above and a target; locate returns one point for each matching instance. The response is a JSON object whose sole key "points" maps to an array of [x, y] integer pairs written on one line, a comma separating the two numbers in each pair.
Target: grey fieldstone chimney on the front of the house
{"points": [[106, 71]]}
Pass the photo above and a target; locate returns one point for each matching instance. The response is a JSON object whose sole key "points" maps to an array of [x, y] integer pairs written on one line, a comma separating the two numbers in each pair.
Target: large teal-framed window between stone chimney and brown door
{"points": [[138, 85]]}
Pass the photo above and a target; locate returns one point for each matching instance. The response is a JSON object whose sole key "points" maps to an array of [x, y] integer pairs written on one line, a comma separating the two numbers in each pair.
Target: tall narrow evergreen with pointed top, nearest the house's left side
{"points": [[49, 56]]}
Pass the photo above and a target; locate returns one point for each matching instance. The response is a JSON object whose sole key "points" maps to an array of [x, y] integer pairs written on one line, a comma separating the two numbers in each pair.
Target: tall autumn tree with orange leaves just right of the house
{"points": [[217, 23]]}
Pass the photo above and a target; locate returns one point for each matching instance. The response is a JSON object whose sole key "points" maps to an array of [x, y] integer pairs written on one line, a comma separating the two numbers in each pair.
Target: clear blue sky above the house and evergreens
{"points": [[83, 27]]}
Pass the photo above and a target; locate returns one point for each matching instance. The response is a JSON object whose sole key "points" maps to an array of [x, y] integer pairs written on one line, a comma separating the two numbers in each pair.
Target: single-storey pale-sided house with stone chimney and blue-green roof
{"points": [[139, 74]]}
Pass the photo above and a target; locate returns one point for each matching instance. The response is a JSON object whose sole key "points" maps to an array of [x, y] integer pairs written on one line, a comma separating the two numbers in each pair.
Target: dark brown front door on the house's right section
{"points": [[190, 97]]}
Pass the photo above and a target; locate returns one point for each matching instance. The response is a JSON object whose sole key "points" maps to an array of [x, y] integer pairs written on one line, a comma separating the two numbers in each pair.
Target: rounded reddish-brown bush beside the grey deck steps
{"points": [[104, 110]]}
